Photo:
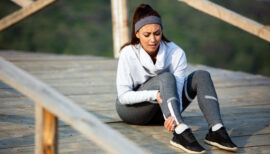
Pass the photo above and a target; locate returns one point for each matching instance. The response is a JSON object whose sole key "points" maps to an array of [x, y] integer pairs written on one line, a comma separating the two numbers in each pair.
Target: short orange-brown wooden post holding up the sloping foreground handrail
{"points": [[46, 131]]}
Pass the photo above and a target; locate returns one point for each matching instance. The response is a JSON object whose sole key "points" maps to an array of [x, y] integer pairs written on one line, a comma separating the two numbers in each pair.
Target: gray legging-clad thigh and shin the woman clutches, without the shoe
{"points": [[142, 113]]}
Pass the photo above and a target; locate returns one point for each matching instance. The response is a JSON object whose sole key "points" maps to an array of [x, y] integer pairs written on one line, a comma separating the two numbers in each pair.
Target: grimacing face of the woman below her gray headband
{"points": [[150, 36]]}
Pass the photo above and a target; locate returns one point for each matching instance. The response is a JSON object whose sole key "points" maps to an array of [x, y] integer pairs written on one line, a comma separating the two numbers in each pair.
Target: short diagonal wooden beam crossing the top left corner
{"points": [[23, 13]]}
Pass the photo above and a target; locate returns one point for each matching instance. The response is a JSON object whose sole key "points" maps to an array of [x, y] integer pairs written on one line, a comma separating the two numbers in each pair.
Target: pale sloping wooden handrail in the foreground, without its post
{"points": [[66, 110]]}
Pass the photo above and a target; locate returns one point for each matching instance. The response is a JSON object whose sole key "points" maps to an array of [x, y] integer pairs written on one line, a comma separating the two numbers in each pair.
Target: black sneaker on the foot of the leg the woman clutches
{"points": [[187, 142]]}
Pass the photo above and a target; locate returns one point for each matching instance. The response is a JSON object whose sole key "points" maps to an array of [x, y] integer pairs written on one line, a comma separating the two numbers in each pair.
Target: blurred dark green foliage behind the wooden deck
{"points": [[81, 27]]}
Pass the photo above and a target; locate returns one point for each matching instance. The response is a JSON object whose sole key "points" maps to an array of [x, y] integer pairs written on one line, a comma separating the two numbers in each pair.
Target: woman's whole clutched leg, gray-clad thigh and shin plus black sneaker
{"points": [[142, 113]]}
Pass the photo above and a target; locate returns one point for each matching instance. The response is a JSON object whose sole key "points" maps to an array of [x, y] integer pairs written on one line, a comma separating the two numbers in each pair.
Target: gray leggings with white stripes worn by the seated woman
{"points": [[198, 83]]}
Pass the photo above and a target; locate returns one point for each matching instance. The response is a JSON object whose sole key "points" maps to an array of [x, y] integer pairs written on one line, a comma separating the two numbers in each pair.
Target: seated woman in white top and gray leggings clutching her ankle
{"points": [[151, 76]]}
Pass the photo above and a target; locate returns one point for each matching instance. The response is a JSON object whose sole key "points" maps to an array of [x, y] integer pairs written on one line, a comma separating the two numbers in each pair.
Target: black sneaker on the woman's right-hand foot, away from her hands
{"points": [[220, 139]]}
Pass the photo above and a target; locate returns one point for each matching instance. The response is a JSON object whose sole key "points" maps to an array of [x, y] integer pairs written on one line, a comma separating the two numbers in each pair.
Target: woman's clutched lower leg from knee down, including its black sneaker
{"points": [[170, 106]]}
